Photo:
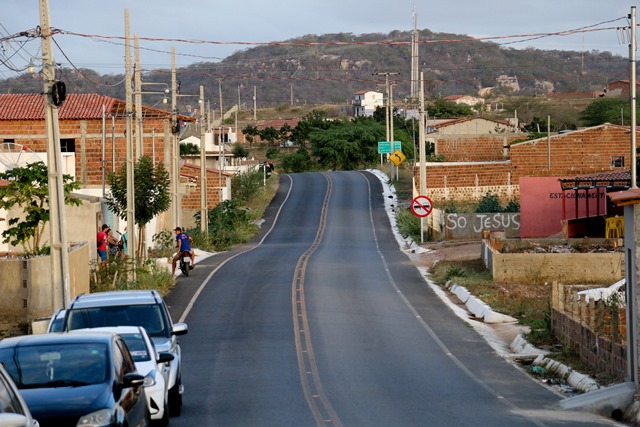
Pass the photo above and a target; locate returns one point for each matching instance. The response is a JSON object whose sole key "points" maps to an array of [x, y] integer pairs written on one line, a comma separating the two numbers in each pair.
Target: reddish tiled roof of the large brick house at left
{"points": [[77, 106]]}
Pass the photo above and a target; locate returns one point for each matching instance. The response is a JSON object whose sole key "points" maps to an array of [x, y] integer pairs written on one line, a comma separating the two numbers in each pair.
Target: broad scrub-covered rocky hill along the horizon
{"points": [[329, 68]]}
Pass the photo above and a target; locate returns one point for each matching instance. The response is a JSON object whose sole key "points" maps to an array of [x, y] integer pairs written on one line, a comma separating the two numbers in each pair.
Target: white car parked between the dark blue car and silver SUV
{"points": [[153, 365]]}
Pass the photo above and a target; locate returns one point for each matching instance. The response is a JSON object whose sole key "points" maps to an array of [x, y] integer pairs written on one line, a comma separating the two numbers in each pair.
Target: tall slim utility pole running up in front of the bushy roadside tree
{"points": [[131, 228]]}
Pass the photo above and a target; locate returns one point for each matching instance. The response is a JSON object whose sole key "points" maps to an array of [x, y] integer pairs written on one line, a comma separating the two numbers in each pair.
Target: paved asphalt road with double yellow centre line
{"points": [[322, 321]]}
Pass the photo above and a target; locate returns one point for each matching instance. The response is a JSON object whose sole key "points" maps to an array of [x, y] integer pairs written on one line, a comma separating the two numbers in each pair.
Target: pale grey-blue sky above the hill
{"points": [[225, 25]]}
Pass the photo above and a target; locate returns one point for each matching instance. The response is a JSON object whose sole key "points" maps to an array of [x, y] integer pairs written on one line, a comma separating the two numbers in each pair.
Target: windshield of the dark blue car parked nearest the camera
{"points": [[61, 365]]}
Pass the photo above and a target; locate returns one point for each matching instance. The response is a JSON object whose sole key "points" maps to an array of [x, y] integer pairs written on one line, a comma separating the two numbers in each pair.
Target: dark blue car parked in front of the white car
{"points": [[76, 379]]}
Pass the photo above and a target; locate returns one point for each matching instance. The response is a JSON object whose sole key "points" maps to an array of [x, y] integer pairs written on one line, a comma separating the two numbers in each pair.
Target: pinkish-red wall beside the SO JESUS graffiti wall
{"points": [[541, 206]]}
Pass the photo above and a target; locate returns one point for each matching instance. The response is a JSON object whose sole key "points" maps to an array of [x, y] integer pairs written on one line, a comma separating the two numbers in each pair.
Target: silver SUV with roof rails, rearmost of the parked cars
{"points": [[144, 308]]}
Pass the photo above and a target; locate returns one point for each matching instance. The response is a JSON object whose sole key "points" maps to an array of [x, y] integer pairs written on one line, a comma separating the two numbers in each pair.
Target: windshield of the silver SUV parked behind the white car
{"points": [[149, 316]]}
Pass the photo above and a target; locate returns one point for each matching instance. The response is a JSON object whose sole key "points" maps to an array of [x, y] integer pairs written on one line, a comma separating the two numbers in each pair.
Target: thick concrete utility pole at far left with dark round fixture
{"points": [[60, 288]]}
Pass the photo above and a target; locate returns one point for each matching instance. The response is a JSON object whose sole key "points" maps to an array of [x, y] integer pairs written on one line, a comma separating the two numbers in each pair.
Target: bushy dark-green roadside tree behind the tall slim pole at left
{"points": [[151, 192]]}
